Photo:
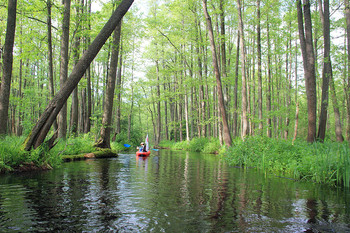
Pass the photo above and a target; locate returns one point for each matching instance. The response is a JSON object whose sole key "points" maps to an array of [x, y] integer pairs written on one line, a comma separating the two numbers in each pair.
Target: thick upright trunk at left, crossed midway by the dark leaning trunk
{"points": [[62, 119]]}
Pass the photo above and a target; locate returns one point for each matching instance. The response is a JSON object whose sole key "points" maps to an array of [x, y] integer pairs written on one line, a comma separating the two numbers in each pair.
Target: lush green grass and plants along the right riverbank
{"points": [[327, 162]]}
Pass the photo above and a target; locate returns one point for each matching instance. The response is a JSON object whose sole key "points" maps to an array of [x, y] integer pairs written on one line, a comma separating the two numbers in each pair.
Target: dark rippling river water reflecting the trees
{"points": [[167, 192]]}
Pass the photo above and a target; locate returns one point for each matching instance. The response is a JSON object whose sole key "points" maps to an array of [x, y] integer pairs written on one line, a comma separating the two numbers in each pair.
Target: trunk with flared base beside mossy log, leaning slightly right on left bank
{"points": [[105, 137]]}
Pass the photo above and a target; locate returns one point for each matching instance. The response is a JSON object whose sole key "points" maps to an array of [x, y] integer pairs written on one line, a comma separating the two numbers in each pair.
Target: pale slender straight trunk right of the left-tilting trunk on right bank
{"points": [[245, 129]]}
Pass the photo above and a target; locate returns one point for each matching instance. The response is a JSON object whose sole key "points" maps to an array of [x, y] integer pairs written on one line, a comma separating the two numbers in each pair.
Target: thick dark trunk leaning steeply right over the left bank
{"points": [[42, 127]]}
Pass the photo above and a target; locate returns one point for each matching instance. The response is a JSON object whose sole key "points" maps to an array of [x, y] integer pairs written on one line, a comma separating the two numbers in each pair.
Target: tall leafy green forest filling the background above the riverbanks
{"points": [[222, 70]]}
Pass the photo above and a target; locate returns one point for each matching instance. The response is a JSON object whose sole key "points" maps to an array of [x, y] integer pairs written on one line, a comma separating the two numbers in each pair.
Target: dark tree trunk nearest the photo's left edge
{"points": [[5, 85]]}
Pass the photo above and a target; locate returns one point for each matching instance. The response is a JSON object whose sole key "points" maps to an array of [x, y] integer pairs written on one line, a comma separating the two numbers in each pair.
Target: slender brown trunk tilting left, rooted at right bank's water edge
{"points": [[227, 135]]}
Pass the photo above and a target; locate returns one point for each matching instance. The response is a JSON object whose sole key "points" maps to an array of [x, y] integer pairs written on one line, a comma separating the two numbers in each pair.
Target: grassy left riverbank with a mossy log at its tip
{"points": [[13, 157]]}
